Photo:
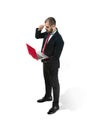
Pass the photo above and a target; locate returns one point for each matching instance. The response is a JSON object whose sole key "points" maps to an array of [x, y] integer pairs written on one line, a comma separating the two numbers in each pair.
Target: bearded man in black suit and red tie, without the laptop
{"points": [[52, 47]]}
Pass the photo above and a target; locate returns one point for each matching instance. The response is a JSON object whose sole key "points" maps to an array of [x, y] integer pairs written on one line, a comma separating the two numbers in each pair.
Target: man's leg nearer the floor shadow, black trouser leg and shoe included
{"points": [[56, 88]]}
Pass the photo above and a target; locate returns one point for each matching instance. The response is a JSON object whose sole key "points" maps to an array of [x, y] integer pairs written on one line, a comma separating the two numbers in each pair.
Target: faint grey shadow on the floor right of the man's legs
{"points": [[73, 98]]}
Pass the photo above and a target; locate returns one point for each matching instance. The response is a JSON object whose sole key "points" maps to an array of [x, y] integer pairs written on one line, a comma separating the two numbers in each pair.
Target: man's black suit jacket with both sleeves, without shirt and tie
{"points": [[53, 48]]}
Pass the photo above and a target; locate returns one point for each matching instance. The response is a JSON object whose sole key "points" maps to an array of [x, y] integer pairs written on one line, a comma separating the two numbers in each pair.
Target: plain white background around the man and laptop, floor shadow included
{"points": [[21, 77]]}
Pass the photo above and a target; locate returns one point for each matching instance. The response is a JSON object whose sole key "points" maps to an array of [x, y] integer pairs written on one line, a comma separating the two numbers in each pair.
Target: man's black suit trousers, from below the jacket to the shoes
{"points": [[50, 71]]}
